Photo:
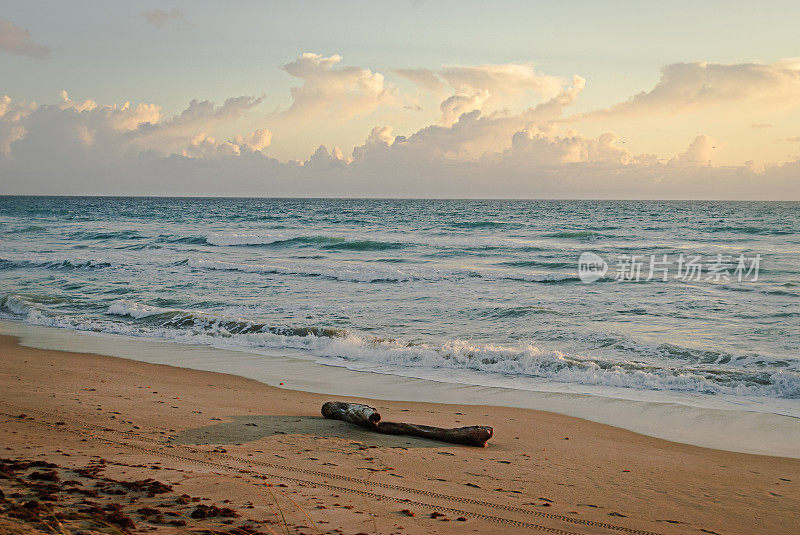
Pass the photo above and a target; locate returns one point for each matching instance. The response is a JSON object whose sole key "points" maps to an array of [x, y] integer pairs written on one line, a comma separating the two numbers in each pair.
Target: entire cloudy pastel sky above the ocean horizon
{"points": [[409, 98]]}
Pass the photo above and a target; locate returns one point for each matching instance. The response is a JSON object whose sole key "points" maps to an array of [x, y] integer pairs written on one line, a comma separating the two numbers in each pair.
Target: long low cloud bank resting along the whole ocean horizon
{"points": [[81, 147]]}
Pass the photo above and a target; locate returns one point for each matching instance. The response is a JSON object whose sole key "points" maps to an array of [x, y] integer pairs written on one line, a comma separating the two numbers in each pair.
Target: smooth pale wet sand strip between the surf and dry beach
{"points": [[742, 431]]}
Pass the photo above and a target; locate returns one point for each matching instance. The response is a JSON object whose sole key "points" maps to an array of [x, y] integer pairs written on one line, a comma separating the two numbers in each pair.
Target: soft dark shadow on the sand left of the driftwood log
{"points": [[251, 428]]}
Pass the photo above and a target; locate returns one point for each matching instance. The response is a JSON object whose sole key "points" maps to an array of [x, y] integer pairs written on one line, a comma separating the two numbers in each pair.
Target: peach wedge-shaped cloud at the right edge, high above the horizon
{"points": [[689, 86]]}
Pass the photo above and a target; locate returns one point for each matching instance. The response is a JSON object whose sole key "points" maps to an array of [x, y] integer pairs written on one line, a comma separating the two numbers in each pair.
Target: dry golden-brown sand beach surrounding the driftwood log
{"points": [[265, 455]]}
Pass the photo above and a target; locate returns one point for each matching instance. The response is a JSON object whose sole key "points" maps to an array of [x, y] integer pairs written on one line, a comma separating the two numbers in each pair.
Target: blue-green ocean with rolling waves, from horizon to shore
{"points": [[699, 302]]}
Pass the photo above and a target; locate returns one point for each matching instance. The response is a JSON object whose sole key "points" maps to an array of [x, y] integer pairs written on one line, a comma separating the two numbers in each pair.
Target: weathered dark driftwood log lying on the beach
{"points": [[368, 418]]}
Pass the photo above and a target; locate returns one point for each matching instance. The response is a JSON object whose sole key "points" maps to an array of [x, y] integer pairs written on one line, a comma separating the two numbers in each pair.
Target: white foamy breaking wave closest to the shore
{"points": [[366, 353]]}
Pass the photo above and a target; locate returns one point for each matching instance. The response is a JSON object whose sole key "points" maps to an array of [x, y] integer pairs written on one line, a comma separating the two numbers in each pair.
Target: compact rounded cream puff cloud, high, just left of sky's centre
{"points": [[337, 92]]}
